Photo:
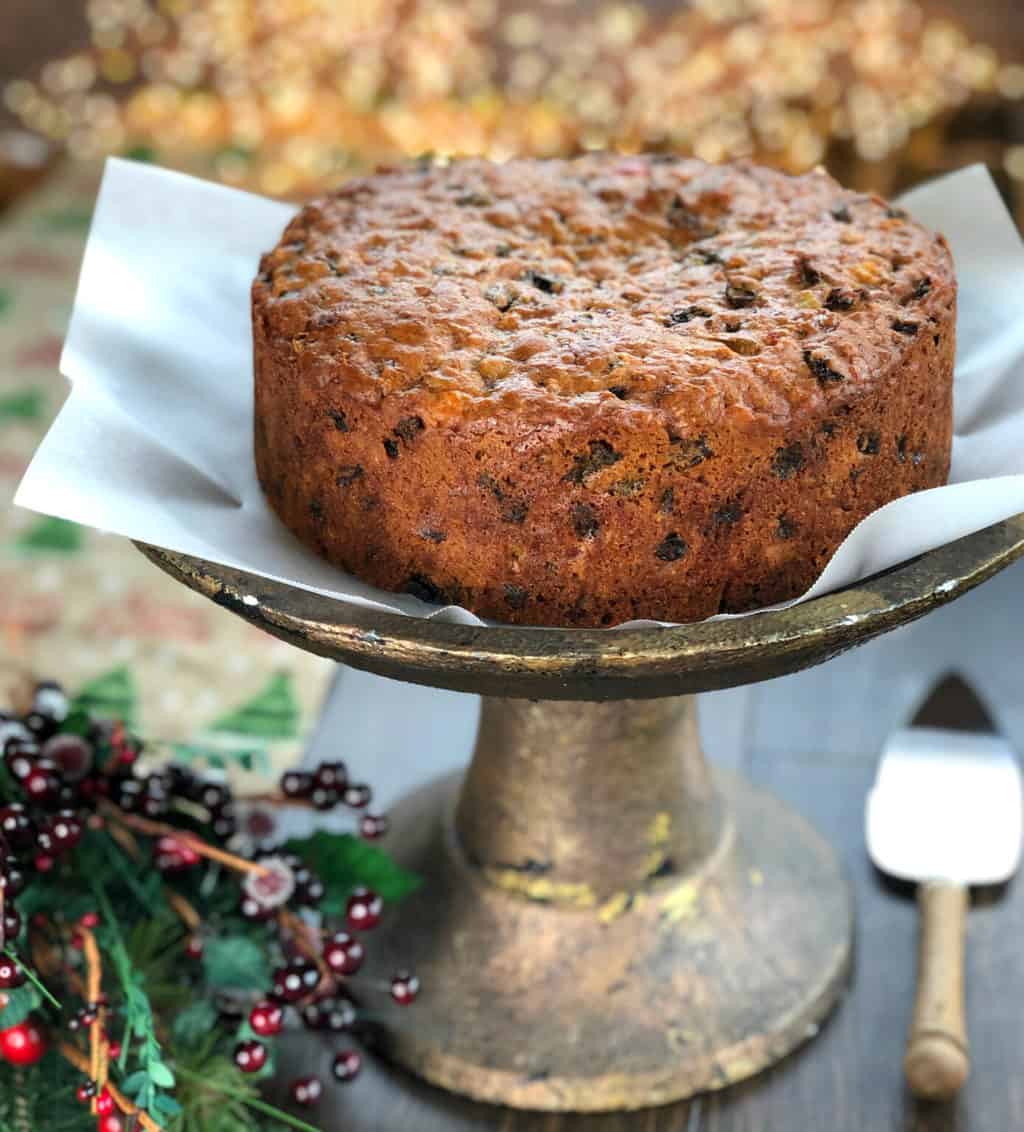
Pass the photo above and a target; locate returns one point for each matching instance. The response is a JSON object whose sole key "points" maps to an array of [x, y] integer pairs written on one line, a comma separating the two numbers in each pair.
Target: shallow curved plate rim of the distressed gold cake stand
{"points": [[604, 664]]}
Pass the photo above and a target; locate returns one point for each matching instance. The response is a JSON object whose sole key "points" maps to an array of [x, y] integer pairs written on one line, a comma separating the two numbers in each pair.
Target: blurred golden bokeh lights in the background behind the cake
{"points": [[286, 97]]}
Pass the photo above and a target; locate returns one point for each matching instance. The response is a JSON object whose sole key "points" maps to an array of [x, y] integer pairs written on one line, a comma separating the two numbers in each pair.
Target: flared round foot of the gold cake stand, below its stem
{"points": [[695, 985]]}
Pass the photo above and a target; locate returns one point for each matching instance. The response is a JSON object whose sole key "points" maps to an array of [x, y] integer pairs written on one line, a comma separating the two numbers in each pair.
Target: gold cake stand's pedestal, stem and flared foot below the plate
{"points": [[605, 945]]}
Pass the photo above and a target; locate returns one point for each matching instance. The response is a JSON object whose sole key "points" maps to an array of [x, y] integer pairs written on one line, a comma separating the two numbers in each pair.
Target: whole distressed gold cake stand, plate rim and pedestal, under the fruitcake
{"points": [[606, 923]]}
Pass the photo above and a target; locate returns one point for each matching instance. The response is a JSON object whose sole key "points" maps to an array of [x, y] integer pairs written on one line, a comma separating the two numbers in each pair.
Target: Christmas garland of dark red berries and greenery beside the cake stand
{"points": [[150, 954]]}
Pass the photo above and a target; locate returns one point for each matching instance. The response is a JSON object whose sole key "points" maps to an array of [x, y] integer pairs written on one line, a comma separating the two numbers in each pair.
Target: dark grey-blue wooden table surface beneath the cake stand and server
{"points": [[814, 739]]}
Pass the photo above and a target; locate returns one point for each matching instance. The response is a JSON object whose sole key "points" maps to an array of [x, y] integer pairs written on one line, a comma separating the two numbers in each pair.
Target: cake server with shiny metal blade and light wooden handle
{"points": [[945, 813]]}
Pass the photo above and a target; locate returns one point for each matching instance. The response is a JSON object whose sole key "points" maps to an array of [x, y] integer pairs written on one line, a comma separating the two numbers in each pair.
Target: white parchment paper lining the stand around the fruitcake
{"points": [[156, 442]]}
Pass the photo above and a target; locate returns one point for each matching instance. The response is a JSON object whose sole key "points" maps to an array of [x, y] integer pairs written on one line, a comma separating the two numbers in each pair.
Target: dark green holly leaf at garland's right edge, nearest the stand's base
{"points": [[345, 863]]}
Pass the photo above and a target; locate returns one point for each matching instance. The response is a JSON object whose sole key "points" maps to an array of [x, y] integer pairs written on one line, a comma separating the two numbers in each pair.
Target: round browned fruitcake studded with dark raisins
{"points": [[582, 392]]}
